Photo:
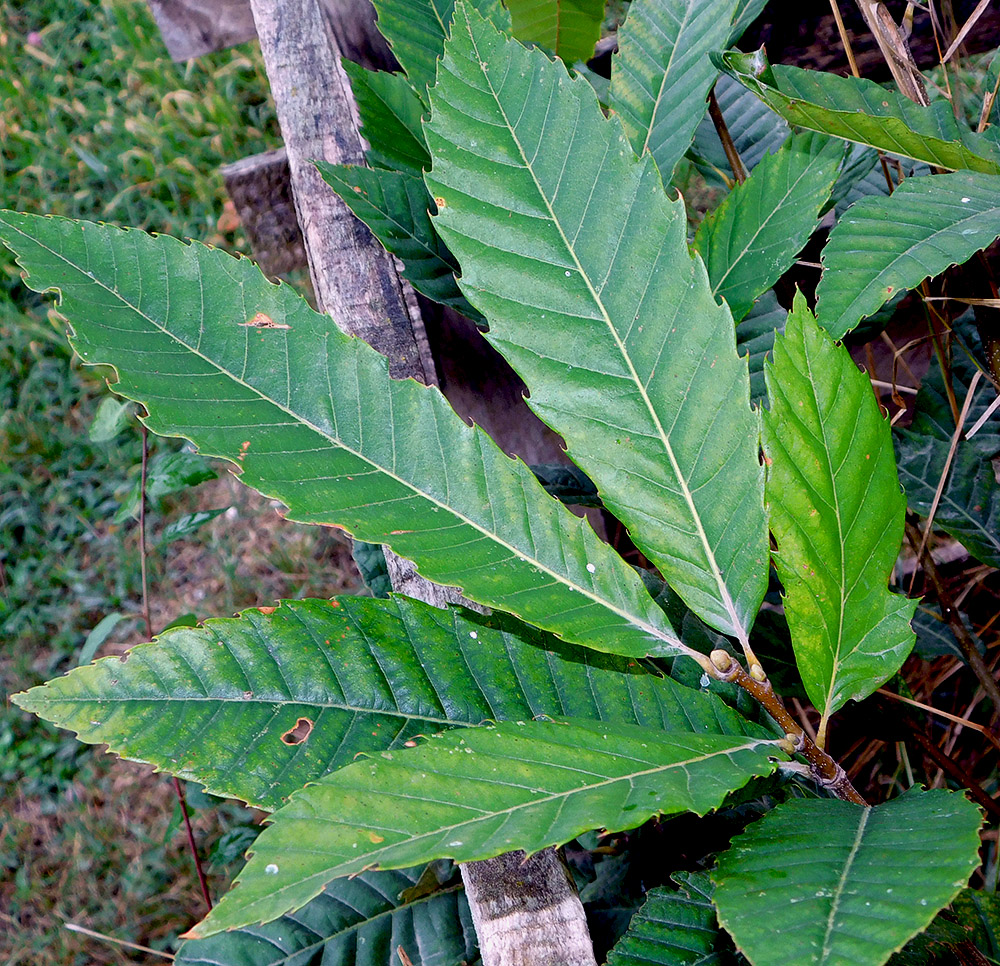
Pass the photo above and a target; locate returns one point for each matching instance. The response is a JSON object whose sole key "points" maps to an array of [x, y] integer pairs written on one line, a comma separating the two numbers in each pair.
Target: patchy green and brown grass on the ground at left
{"points": [[96, 122]]}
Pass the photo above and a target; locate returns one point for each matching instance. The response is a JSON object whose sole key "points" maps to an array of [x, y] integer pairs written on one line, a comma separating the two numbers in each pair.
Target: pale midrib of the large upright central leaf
{"points": [[714, 568]]}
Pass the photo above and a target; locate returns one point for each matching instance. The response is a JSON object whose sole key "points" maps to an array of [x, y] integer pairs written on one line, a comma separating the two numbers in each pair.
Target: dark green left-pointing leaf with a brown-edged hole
{"points": [[219, 704]]}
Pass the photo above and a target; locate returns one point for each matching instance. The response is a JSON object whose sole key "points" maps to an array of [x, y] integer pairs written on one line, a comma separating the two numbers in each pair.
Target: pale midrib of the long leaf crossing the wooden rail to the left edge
{"points": [[657, 633]]}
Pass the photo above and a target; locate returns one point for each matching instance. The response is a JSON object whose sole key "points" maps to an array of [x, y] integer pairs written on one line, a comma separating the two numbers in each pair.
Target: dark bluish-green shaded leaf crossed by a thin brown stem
{"points": [[755, 129]]}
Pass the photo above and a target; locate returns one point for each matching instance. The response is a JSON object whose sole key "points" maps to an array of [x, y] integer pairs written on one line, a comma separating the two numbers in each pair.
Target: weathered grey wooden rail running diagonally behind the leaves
{"points": [[521, 919]]}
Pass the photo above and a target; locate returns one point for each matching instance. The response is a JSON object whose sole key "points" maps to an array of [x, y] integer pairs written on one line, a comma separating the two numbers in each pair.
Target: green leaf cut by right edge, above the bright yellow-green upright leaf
{"points": [[882, 246]]}
